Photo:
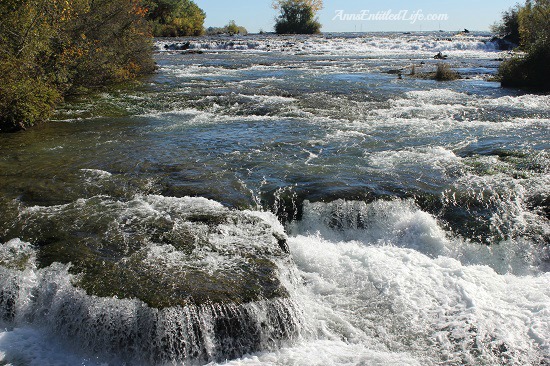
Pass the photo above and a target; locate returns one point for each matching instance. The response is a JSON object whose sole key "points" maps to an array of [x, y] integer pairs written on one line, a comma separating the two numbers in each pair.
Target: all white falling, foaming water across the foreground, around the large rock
{"points": [[381, 283]]}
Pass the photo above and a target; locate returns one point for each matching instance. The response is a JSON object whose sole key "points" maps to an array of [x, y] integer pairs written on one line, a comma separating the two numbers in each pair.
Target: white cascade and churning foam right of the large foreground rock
{"points": [[384, 284]]}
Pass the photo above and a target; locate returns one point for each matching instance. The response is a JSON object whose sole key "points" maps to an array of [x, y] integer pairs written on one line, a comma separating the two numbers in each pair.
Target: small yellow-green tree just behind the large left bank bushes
{"points": [[173, 18]]}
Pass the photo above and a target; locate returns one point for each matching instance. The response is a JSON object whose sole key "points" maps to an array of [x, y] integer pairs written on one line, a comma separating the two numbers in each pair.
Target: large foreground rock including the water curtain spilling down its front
{"points": [[152, 280]]}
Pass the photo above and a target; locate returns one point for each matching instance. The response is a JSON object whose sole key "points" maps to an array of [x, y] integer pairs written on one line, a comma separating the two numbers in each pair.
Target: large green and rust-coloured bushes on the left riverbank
{"points": [[50, 48]]}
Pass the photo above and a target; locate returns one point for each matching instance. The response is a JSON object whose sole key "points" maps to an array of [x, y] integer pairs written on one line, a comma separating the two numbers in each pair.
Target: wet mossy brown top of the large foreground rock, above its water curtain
{"points": [[163, 251]]}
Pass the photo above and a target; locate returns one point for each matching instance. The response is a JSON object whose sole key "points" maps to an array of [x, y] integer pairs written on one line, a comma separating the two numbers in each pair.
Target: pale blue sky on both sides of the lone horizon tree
{"points": [[258, 14]]}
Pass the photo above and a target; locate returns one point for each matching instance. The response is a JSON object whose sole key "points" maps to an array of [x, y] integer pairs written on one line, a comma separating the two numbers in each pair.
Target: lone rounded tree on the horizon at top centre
{"points": [[297, 16]]}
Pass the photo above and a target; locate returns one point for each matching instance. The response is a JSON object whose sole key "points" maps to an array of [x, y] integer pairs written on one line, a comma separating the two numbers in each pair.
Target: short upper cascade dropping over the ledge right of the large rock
{"points": [[400, 223]]}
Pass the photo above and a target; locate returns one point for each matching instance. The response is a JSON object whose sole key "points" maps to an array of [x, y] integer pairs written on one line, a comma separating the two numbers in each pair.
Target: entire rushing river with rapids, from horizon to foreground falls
{"points": [[283, 201]]}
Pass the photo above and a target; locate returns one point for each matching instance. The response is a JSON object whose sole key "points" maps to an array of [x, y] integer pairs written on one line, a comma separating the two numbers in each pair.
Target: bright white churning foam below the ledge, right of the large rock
{"points": [[439, 310]]}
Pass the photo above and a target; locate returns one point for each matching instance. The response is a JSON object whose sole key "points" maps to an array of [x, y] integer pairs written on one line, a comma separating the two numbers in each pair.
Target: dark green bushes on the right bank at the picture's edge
{"points": [[530, 68]]}
